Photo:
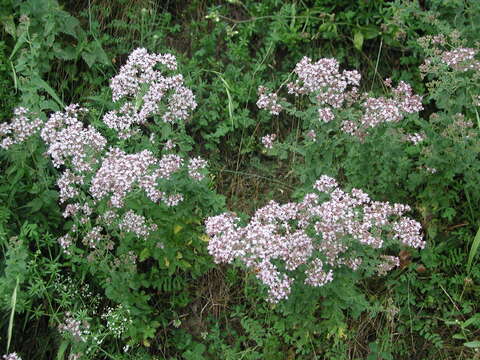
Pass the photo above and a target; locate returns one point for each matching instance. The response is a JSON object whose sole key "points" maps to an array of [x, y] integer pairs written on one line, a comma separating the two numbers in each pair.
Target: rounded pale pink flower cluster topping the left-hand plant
{"points": [[142, 89]]}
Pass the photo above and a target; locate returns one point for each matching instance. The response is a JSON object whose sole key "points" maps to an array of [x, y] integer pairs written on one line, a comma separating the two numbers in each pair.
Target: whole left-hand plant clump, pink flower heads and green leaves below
{"points": [[129, 194]]}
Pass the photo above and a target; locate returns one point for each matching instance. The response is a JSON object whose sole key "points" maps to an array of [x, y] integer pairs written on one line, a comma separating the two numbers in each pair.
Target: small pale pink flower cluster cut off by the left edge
{"points": [[19, 129]]}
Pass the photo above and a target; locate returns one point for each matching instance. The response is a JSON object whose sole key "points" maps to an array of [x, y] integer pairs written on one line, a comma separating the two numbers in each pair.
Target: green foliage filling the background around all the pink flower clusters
{"points": [[174, 303]]}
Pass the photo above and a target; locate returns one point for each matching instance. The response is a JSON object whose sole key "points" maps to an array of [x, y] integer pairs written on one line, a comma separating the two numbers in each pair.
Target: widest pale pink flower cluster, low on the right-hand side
{"points": [[321, 234]]}
